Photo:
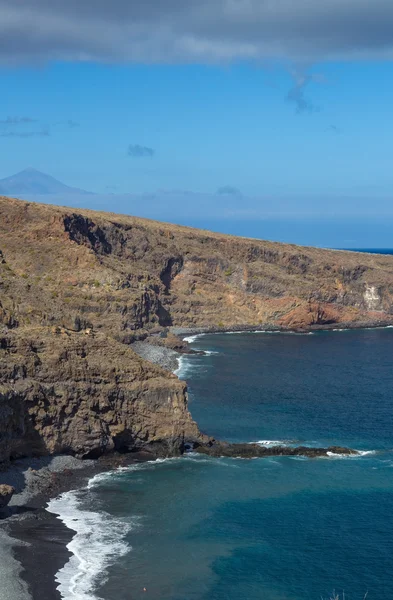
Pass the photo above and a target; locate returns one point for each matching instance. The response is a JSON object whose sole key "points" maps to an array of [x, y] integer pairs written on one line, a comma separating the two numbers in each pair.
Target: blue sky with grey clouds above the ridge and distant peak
{"points": [[219, 113]]}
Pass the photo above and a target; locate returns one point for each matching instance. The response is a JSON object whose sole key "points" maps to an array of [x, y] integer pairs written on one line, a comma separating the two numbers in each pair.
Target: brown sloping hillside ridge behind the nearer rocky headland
{"points": [[119, 274]]}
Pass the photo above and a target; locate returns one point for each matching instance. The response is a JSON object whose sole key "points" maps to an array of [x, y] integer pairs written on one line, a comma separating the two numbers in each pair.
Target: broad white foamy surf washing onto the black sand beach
{"points": [[98, 543]]}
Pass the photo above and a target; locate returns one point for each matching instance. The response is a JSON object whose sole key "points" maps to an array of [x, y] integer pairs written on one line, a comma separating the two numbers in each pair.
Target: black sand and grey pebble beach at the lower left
{"points": [[33, 542]]}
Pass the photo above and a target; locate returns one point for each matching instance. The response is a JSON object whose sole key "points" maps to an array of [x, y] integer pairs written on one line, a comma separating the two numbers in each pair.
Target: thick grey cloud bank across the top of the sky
{"points": [[207, 31]]}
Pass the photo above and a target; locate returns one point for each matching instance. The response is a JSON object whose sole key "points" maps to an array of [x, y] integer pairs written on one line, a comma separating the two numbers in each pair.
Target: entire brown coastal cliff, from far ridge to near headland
{"points": [[77, 286]]}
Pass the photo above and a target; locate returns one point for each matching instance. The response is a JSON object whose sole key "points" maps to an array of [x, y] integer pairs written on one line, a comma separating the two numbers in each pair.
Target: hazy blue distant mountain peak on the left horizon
{"points": [[32, 181]]}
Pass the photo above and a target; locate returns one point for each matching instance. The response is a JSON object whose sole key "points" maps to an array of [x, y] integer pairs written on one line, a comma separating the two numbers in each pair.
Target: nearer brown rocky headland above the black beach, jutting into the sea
{"points": [[87, 396]]}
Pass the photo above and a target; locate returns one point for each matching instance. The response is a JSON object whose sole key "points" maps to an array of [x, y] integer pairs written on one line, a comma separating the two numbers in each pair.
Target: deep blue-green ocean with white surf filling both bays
{"points": [[199, 528]]}
